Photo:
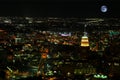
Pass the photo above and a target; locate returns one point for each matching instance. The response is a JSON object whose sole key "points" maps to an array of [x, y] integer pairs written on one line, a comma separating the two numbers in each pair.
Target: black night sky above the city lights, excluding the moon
{"points": [[59, 8]]}
